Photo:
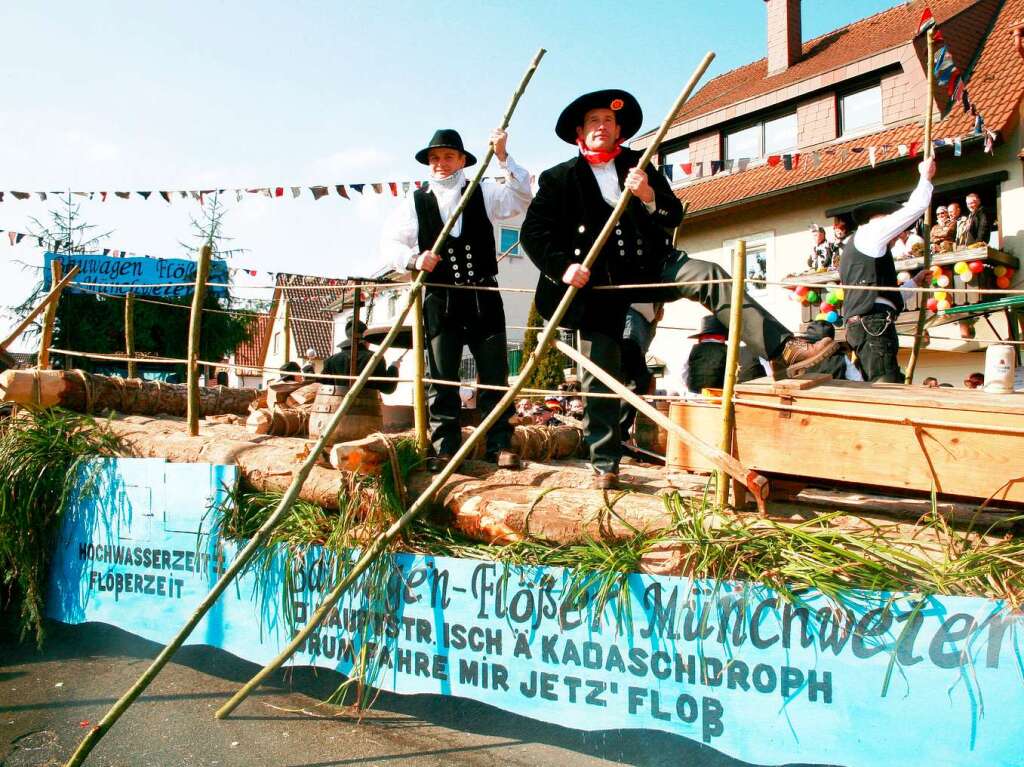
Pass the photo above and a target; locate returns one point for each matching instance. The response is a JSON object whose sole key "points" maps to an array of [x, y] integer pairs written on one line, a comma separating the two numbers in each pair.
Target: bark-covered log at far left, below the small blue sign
{"points": [[86, 393]]}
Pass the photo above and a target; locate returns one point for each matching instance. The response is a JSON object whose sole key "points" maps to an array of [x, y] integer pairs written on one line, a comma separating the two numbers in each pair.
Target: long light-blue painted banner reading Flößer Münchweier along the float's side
{"points": [[881, 680]]}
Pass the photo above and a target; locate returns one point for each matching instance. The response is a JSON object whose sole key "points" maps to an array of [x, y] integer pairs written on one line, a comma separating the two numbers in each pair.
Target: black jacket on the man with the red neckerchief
{"points": [[563, 224]]}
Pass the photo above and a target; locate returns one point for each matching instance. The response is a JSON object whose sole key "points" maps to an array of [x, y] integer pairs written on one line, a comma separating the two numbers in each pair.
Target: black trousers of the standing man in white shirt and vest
{"points": [[455, 320]]}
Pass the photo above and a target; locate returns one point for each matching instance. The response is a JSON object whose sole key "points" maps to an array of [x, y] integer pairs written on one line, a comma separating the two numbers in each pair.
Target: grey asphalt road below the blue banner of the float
{"points": [[49, 698]]}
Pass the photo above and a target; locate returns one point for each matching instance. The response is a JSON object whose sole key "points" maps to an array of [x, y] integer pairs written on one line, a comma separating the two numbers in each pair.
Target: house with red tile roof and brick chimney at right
{"points": [[817, 127]]}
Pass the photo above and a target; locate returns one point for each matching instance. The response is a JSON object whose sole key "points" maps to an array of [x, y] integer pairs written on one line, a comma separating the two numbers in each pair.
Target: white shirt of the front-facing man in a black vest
{"points": [[400, 240]]}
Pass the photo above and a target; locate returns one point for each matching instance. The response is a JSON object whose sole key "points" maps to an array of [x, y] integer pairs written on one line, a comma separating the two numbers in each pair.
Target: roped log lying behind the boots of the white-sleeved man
{"points": [[370, 455]]}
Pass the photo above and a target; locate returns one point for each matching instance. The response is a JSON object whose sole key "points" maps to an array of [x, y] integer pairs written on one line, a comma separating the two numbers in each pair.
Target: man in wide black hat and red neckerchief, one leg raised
{"points": [[573, 204]]}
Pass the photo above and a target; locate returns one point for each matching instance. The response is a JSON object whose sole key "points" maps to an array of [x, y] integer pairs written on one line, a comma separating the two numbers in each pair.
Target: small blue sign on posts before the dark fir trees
{"points": [[121, 276]]}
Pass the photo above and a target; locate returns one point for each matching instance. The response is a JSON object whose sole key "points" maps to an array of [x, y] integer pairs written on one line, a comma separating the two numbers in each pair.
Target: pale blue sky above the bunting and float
{"points": [[117, 96]]}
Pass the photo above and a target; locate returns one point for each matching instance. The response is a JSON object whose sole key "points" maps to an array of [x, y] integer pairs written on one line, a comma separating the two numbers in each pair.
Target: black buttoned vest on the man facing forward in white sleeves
{"points": [[467, 260]]}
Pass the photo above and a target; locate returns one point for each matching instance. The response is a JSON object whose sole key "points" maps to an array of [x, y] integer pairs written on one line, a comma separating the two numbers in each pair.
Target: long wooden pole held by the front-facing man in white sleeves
{"points": [[264, 534]]}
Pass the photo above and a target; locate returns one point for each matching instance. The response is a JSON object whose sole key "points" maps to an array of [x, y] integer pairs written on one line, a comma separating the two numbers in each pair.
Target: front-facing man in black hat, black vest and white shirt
{"points": [[455, 318]]}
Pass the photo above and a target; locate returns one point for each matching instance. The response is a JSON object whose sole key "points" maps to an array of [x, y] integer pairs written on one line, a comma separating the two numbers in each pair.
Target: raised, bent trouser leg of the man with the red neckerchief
{"points": [[763, 334]]}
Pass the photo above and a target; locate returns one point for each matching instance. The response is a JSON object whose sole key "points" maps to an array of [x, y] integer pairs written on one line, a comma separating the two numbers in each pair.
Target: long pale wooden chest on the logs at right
{"points": [[969, 443]]}
